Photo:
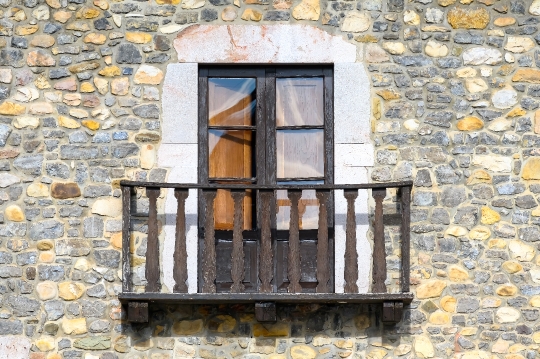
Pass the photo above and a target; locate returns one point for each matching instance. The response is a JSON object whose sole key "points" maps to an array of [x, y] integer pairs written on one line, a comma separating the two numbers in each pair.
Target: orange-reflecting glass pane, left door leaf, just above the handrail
{"points": [[231, 154]]}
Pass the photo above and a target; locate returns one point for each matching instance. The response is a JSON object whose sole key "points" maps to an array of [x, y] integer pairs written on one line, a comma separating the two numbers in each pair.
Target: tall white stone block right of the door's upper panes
{"points": [[352, 105]]}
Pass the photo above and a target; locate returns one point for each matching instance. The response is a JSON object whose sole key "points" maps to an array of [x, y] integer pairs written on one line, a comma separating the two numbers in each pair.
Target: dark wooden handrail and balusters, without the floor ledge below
{"points": [[379, 272]]}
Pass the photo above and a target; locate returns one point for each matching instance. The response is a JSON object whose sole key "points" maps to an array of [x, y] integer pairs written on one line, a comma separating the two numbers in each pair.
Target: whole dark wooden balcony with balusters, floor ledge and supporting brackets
{"points": [[324, 292]]}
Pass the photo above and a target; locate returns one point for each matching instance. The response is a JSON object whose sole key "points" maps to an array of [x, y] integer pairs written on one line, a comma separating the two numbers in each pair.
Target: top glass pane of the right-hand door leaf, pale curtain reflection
{"points": [[299, 101]]}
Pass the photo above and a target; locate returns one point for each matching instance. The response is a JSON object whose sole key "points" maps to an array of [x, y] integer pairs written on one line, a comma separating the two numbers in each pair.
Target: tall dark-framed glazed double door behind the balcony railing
{"points": [[266, 125]]}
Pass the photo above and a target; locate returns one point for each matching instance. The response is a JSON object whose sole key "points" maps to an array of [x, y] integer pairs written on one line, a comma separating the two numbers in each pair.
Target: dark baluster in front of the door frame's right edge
{"points": [[323, 273]]}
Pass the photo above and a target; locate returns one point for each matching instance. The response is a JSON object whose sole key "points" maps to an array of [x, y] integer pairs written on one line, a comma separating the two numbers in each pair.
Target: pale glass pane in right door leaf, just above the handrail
{"points": [[300, 153]]}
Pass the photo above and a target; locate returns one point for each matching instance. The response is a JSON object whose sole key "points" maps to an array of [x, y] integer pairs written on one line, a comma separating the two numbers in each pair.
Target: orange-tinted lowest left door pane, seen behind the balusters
{"points": [[224, 210]]}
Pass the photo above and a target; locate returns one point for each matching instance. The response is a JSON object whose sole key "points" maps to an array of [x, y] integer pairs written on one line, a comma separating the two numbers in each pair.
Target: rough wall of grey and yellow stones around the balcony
{"points": [[455, 98]]}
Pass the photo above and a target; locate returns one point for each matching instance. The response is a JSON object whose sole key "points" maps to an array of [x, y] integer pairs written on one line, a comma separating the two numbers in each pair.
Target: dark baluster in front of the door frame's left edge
{"points": [[209, 253]]}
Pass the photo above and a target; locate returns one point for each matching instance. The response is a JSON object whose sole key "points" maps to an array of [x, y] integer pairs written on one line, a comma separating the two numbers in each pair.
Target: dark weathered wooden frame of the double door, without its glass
{"points": [[265, 145]]}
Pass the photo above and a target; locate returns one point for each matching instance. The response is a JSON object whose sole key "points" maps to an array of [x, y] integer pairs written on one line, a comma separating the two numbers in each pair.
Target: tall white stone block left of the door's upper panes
{"points": [[180, 103]]}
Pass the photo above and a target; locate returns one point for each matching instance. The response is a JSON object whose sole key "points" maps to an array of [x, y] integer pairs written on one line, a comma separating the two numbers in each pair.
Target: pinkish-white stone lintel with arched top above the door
{"points": [[281, 43]]}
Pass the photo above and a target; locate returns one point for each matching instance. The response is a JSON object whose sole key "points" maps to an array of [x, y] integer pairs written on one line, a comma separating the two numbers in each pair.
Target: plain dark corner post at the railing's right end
{"points": [[405, 238]]}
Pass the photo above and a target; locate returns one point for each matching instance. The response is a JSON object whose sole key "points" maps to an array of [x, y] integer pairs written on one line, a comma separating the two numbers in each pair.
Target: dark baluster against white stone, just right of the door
{"points": [[351, 255]]}
